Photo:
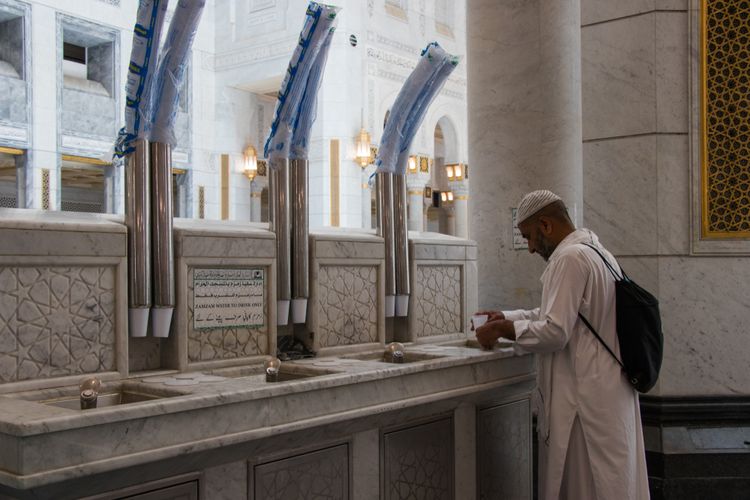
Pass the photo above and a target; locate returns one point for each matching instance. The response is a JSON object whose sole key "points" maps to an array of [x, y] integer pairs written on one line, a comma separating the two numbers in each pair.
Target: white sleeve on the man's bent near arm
{"points": [[563, 287]]}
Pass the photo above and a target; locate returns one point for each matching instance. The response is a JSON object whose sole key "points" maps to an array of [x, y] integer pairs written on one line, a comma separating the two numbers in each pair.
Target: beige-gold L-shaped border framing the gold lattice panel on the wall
{"points": [[705, 233]]}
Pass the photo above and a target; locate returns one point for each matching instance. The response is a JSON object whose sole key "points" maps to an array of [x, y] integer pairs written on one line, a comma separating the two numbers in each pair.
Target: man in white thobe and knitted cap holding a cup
{"points": [[590, 436]]}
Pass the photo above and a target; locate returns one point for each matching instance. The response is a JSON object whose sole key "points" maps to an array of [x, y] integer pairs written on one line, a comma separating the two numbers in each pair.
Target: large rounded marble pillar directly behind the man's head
{"points": [[524, 84]]}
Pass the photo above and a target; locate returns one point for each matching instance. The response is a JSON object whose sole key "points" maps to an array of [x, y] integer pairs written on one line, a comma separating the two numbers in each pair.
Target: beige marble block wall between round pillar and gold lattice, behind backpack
{"points": [[638, 169]]}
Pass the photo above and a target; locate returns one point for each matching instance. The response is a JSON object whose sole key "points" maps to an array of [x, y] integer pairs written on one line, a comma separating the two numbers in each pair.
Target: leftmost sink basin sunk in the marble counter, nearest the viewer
{"points": [[111, 395]]}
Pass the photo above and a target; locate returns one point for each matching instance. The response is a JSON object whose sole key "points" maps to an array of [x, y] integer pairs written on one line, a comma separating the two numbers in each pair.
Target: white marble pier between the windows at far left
{"points": [[43, 154]]}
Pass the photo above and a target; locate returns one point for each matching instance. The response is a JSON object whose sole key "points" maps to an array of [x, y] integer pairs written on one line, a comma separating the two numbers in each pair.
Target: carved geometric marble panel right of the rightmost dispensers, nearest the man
{"points": [[438, 300]]}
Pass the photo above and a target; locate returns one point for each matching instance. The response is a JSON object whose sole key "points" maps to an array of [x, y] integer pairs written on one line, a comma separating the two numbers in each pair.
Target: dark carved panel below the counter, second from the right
{"points": [[419, 462]]}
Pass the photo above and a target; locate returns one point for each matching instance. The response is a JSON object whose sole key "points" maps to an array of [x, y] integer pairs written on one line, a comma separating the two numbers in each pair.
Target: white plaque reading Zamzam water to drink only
{"points": [[228, 298]]}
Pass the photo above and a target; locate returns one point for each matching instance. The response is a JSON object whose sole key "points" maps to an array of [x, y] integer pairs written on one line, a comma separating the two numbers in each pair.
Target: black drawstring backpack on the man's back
{"points": [[638, 330]]}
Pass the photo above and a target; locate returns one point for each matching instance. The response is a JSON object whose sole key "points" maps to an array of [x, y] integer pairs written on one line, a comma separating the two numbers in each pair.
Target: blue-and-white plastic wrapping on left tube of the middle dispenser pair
{"points": [[319, 20]]}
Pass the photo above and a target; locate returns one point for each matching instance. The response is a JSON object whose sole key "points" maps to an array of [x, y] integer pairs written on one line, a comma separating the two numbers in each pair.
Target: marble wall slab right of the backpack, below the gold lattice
{"points": [[704, 313]]}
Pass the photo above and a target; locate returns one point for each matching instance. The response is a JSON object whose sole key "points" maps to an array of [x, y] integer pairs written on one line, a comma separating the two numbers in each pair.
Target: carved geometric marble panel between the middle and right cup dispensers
{"points": [[347, 305]]}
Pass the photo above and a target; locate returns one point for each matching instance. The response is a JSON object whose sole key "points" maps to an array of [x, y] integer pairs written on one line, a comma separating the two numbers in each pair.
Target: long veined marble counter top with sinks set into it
{"points": [[42, 444]]}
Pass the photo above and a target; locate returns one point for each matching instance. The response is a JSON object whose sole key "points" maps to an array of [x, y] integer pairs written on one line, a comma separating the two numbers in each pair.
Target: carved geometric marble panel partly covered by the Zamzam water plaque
{"points": [[224, 343]]}
